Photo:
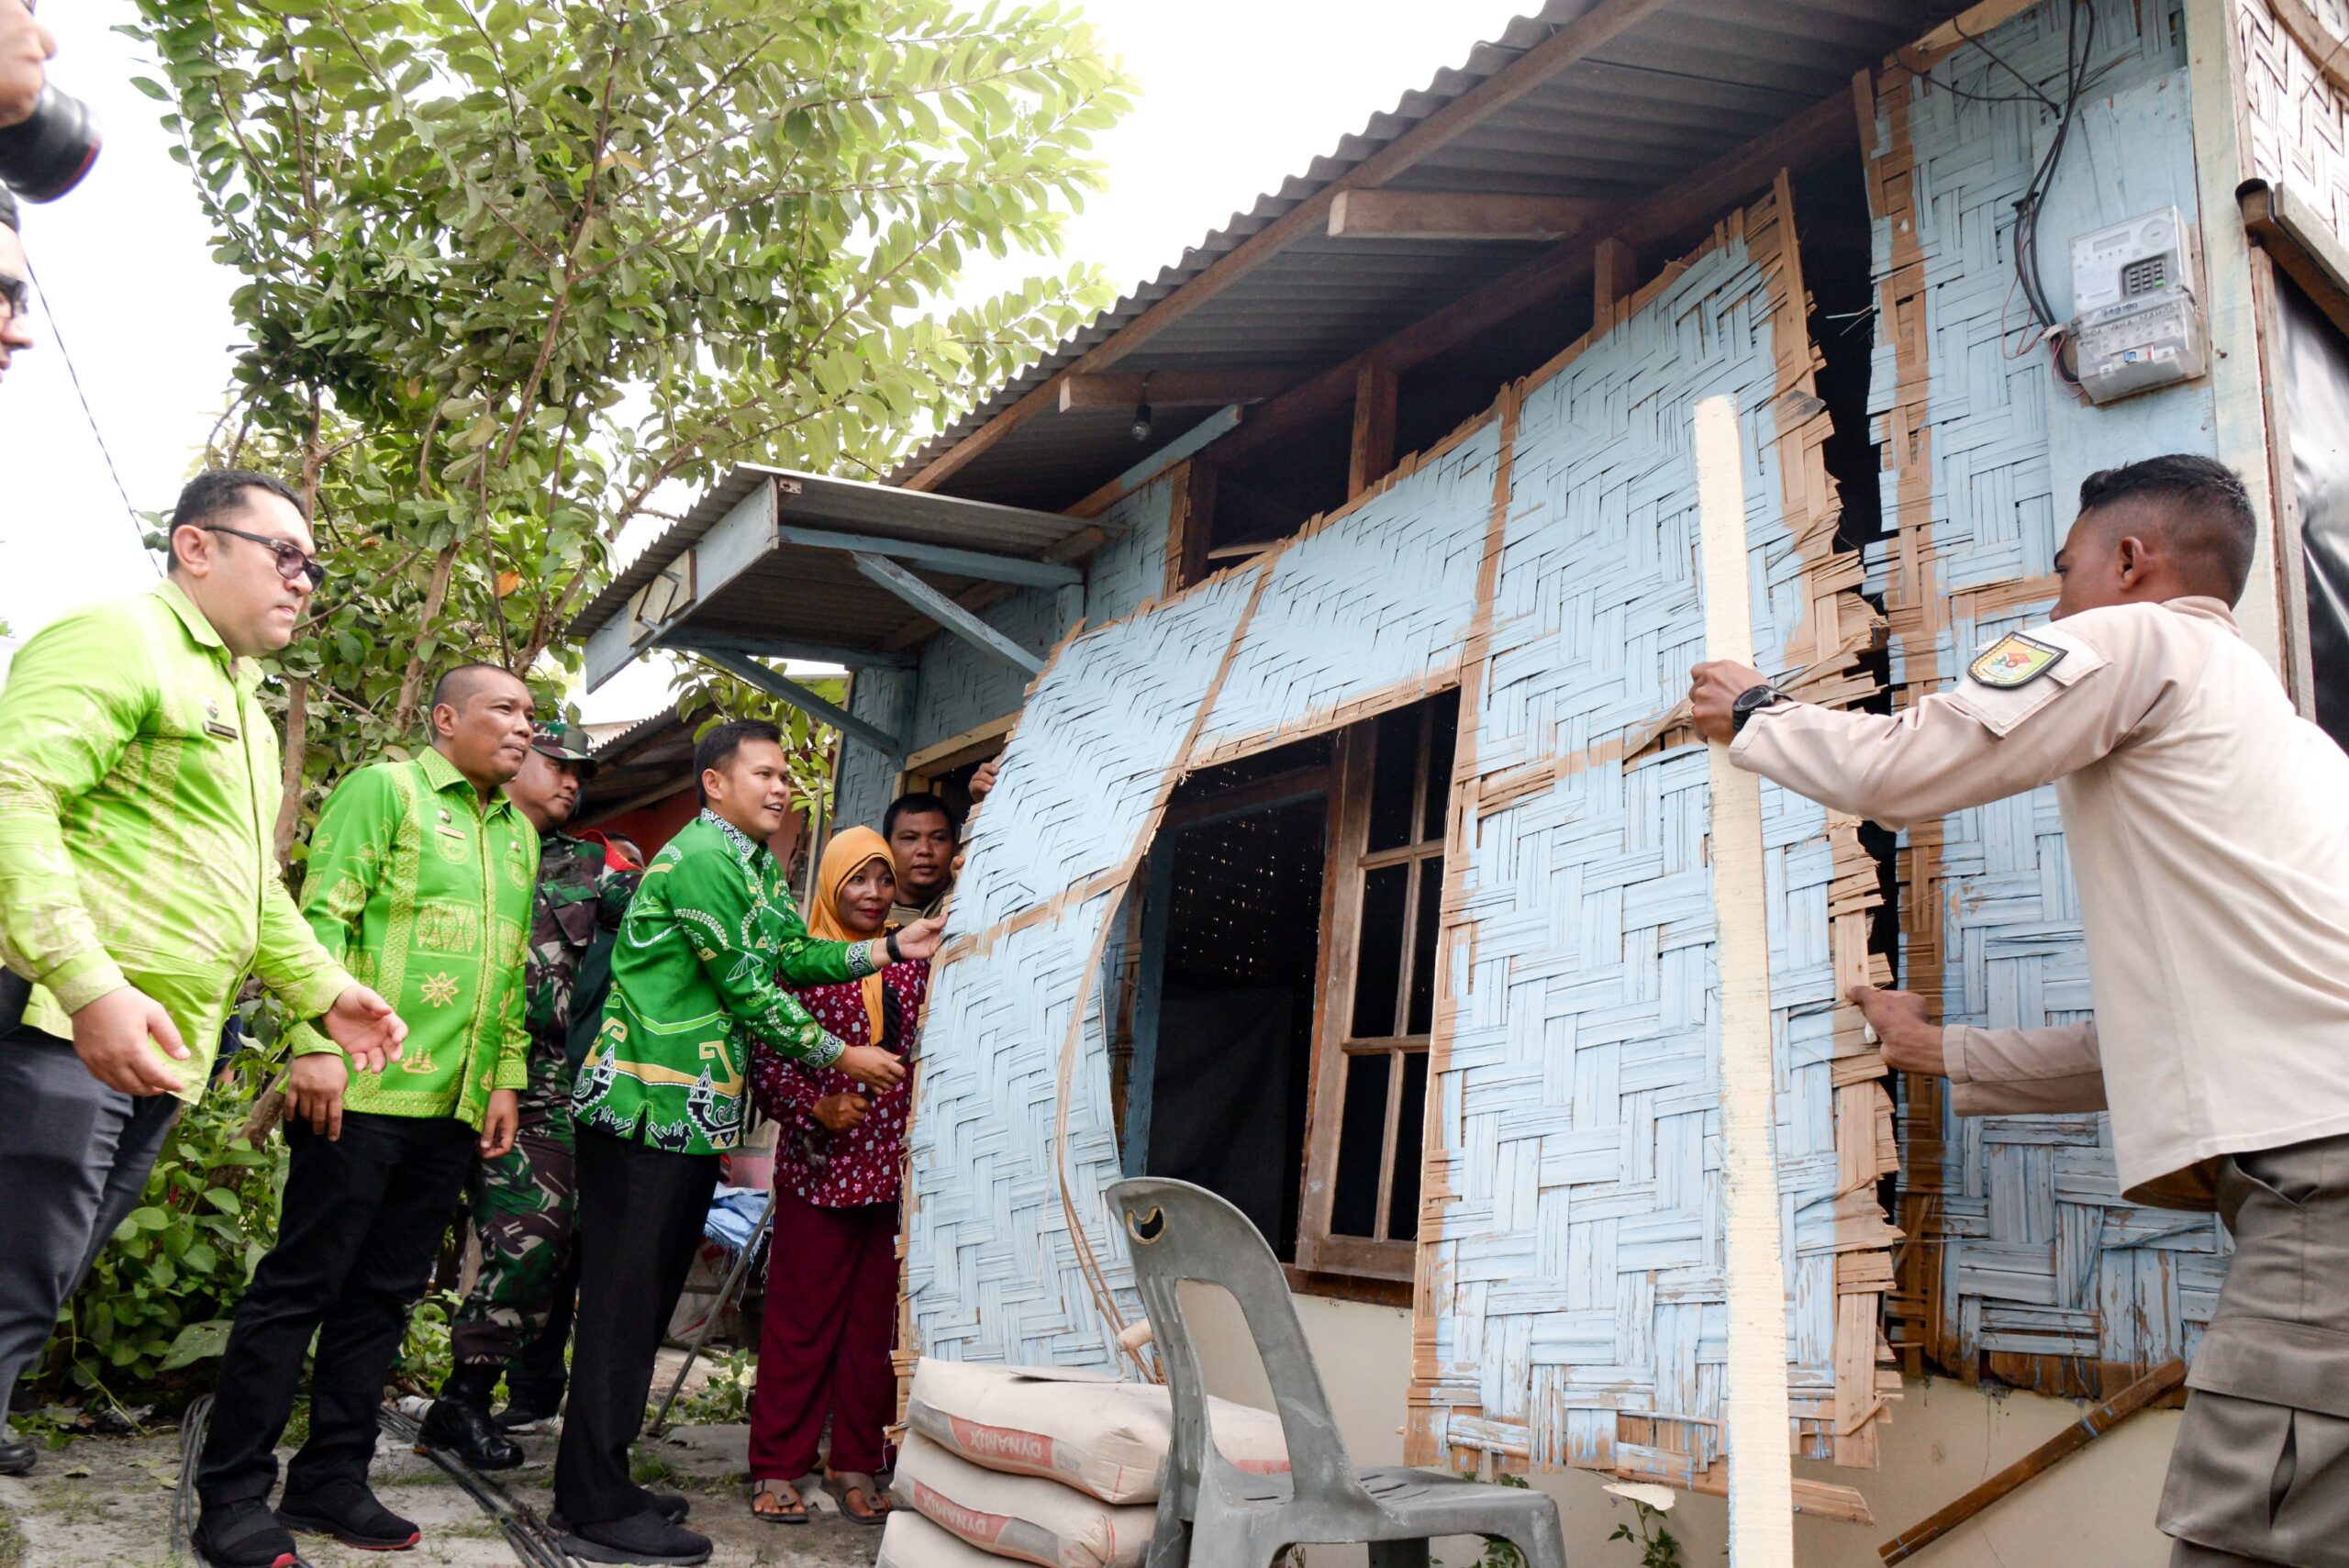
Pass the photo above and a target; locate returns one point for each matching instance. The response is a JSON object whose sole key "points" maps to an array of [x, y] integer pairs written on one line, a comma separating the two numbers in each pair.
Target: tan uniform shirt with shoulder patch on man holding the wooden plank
{"points": [[2209, 832]]}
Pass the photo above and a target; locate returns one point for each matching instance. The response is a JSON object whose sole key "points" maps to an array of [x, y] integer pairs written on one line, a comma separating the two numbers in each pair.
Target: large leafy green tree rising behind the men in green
{"points": [[513, 266]]}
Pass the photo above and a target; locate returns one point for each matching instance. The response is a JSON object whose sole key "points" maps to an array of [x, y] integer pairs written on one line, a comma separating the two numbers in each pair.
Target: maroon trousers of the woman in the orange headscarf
{"points": [[823, 1349]]}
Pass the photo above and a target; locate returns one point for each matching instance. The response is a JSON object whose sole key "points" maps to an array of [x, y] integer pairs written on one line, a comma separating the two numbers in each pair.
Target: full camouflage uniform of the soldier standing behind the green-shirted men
{"points": [[525, 1198]]}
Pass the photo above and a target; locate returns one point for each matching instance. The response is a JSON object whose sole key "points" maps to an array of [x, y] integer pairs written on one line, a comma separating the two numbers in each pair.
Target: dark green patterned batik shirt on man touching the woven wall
{"points": [[694, 985]]}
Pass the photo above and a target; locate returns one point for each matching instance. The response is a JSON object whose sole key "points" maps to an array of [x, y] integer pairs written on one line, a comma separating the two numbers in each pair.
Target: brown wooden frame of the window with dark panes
{"points": [[1345, 886]]}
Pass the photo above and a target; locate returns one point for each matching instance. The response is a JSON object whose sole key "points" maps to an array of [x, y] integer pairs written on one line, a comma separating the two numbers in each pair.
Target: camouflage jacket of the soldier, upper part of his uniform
{"points": [[574, 924]]}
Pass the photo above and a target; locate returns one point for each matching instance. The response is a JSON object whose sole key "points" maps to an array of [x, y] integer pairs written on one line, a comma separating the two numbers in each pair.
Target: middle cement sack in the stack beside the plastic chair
{"points": [[1021, 1518]]}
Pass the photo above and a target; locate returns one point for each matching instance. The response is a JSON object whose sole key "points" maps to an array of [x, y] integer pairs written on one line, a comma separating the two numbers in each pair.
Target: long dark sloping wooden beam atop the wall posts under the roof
{"points": [[1803, 142]]}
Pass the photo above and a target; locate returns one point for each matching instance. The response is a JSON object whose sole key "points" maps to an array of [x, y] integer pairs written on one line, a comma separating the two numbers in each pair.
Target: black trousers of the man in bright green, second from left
{"points": [[356, 1243]]}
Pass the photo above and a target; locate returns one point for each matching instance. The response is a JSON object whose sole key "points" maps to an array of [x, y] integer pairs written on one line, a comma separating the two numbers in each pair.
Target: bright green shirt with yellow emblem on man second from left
{"points": [[426, 895]]}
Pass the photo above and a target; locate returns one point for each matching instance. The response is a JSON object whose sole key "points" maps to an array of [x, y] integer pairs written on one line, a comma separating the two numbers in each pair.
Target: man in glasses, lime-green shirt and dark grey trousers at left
{"points": [[140, 785]]}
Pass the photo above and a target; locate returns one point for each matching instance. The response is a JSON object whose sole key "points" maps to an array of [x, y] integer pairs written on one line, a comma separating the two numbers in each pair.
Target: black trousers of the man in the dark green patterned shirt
{"points": [[640, 1224]]}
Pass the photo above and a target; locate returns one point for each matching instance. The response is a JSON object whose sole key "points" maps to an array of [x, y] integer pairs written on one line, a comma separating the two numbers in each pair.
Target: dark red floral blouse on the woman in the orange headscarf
{"points": [[863, 1165]]}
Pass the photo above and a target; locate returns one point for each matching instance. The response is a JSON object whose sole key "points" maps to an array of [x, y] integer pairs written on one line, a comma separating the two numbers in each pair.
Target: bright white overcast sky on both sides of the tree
{"points": [[1234, 97]]}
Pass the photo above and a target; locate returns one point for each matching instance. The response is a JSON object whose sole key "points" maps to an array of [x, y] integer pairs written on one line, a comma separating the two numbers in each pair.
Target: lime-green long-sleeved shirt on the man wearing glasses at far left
{"points": [[137, 802]]}
